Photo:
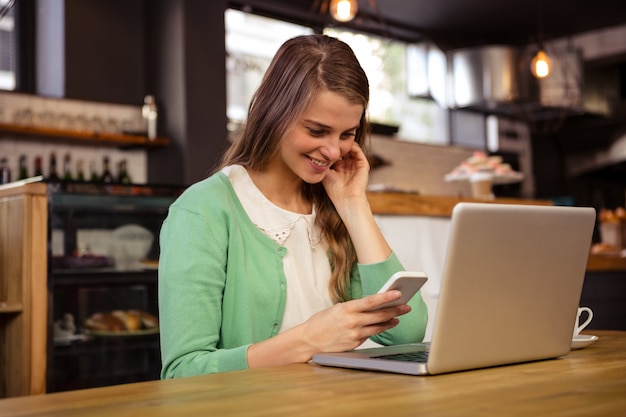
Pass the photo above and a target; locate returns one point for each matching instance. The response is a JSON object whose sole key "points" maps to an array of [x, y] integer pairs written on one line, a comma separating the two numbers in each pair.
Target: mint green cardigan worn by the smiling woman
{"points": [[222, 285]]}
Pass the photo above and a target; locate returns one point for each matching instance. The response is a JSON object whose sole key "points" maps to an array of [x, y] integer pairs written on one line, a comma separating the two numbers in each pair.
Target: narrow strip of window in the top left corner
{"points": [[7, 45]]}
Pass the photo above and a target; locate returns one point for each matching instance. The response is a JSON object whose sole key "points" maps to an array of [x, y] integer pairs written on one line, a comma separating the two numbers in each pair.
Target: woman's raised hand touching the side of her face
{"points": [[348, 177]]}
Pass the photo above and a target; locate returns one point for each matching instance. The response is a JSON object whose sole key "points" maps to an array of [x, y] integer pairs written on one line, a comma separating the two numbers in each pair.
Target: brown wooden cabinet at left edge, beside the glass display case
{"points": [[23, 289]]}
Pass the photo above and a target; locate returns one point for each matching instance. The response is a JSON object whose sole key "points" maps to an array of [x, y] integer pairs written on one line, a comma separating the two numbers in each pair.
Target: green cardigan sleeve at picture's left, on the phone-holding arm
{"points": [[191, 284]]}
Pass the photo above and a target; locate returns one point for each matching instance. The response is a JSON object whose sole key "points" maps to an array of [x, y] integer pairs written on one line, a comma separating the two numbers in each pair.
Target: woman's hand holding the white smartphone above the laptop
{"points": [[347, 325]]}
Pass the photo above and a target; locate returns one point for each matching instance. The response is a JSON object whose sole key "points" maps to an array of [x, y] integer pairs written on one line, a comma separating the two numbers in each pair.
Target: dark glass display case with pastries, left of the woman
{"points": [[102, 277]]}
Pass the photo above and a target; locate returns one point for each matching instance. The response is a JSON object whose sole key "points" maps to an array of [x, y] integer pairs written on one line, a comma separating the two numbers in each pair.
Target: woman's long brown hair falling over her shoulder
{"points": [[302, 67]]}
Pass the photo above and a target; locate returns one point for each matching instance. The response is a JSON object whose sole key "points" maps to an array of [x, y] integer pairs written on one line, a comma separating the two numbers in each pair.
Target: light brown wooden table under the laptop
{"points": [[587, 382]]}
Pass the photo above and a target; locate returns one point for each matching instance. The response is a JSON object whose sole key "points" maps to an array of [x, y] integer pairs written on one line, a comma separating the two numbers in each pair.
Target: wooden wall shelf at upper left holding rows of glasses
{"points": [[92, 138]]}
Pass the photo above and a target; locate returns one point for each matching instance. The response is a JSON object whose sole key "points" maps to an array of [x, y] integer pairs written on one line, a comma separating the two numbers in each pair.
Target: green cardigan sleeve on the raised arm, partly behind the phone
{"points": [[368, 279]]}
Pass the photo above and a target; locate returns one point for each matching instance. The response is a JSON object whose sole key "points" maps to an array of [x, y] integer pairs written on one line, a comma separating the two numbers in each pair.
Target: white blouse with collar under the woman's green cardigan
{"points": [[306, 264]]}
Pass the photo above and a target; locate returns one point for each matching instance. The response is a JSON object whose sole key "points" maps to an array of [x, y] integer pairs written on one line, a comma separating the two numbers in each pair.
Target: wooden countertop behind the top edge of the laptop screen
{"points": [[395, 203]]}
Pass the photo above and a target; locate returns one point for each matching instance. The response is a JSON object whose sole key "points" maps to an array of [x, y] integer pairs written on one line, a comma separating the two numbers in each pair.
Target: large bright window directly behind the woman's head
{"points": [[252, 41]]}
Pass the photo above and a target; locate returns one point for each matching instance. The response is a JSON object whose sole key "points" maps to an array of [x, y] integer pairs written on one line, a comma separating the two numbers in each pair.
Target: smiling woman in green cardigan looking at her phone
{"points": [[277, 255]]}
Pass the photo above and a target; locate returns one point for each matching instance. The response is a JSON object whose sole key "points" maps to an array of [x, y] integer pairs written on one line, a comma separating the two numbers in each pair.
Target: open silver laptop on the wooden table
{"points": [[510, 291]]}
